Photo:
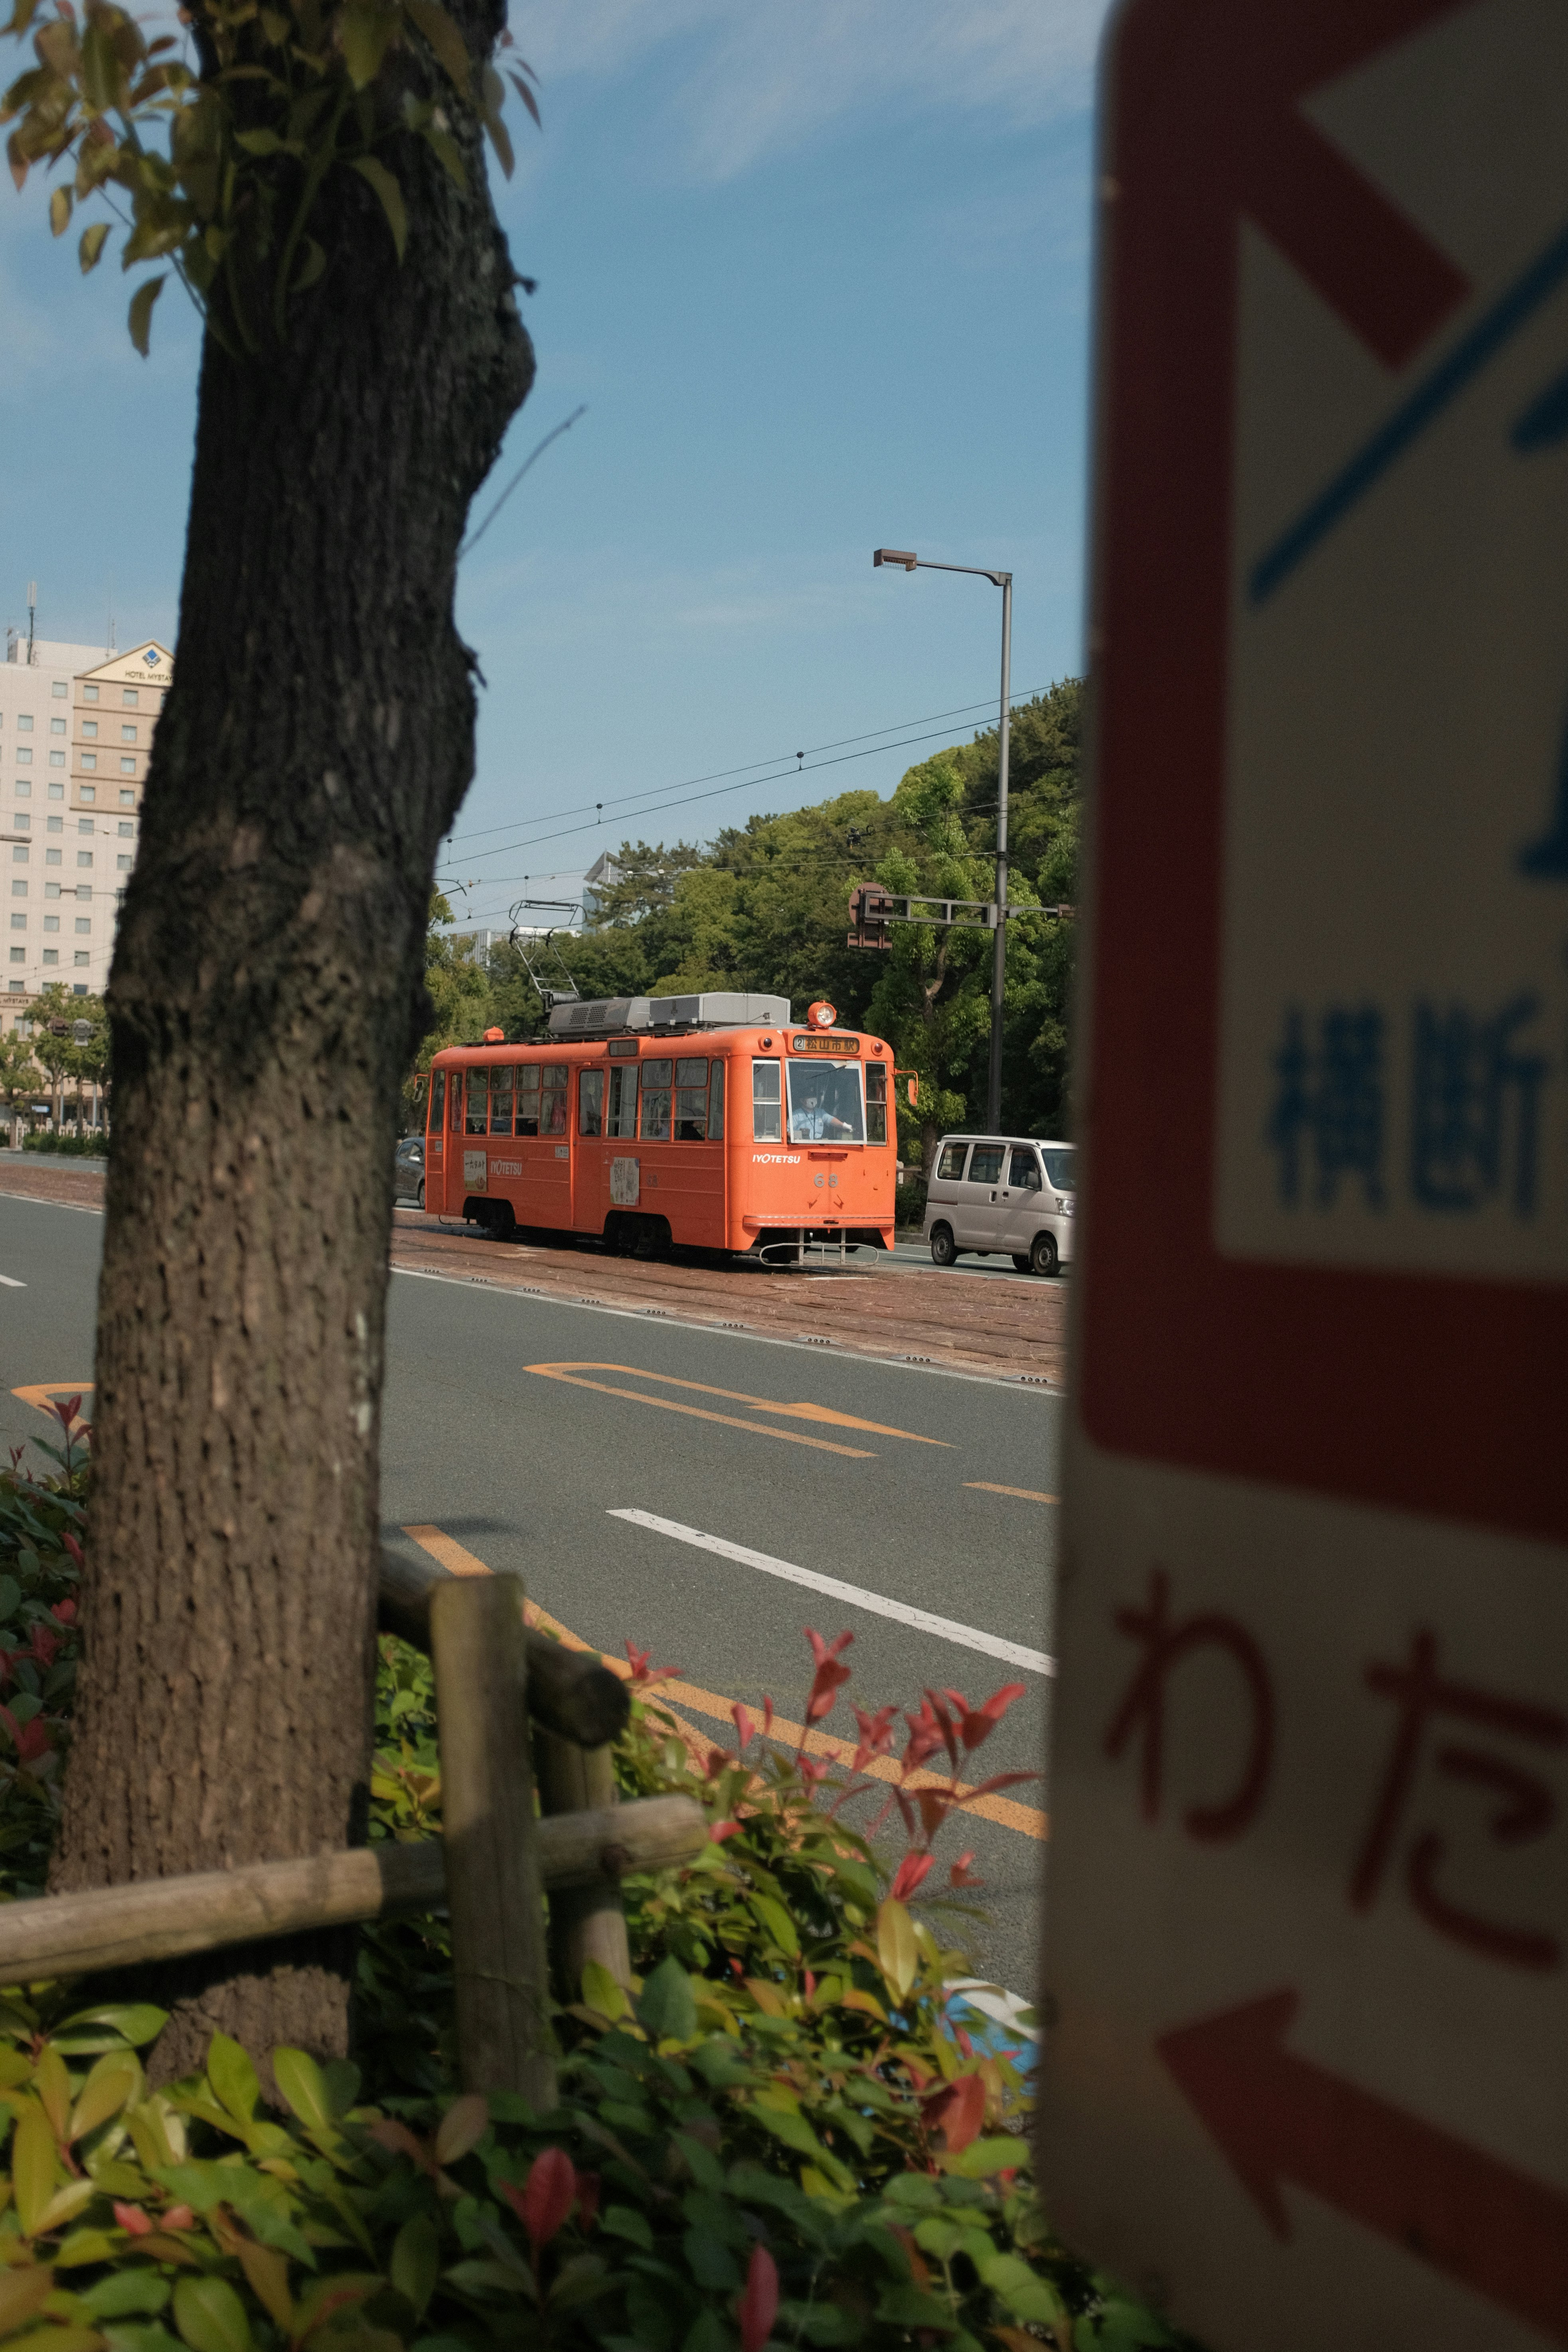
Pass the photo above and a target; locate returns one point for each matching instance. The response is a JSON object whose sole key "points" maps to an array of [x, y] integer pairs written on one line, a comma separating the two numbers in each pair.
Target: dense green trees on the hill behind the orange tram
{"points": [[765, 907]]}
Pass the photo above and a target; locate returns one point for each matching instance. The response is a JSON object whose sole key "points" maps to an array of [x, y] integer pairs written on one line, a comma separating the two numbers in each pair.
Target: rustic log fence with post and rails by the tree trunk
{"points": [[516, 1713]]}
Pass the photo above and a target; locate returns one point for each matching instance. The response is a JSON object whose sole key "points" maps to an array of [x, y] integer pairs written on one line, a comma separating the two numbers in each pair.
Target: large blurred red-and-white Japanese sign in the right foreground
{"points": [[1306, 1970]]}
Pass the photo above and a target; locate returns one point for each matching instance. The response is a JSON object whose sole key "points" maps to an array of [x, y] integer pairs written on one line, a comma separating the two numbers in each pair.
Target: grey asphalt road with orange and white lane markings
{"points": [[887, 1485]]}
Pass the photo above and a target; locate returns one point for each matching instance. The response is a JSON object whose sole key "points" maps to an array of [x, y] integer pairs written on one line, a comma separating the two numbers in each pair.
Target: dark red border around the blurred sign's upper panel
{"points": [[1414, 1391]]}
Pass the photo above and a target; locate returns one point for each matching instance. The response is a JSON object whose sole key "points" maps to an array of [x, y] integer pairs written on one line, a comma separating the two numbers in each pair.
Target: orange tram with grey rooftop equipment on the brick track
{"points": [[709, 1121]]}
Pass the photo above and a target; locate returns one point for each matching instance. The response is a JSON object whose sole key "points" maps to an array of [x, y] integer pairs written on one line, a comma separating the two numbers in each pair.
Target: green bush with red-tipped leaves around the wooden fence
{"points": [[777, 2139]]}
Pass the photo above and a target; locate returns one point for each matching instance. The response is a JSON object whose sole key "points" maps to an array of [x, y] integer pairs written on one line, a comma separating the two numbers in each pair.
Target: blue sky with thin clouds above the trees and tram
{"points": [[822, 276]]}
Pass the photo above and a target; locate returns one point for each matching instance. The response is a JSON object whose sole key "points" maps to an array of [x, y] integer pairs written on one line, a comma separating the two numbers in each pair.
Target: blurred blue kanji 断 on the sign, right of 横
{"points": [[1475, 1107]]}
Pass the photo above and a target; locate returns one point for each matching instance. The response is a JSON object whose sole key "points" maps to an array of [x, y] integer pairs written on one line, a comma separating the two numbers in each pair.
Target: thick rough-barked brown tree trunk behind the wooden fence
{"points": [[267, 1001]]}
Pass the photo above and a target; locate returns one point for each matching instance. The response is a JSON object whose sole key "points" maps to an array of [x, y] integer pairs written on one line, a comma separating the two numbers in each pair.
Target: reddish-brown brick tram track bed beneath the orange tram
{"points": [[958, 1323]]}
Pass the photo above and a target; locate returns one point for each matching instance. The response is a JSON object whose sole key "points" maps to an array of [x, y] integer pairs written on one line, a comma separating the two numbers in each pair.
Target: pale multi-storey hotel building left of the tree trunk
{"points": [[76, 728]]}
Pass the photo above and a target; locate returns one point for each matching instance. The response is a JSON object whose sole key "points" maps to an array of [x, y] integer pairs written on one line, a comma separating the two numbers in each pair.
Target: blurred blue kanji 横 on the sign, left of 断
{"points": [[1329, 1104]]}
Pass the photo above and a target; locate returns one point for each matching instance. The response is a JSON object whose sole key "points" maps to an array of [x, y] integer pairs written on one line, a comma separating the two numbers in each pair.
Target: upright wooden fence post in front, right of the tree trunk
{"points": [[495, 1892]]}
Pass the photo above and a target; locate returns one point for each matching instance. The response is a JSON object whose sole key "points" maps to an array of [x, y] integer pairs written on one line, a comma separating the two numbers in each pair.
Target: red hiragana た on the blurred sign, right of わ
{"points": [[1527, 1808]]}
